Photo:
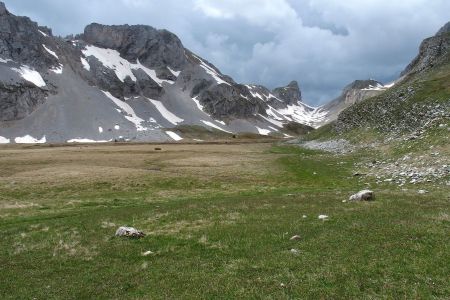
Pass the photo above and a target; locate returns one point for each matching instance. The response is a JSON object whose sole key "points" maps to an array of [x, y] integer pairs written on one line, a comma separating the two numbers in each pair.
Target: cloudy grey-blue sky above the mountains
{"points": [[323, 44]]}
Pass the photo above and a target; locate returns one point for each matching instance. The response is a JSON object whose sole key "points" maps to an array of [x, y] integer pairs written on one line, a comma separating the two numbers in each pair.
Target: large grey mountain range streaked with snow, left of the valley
{"points": [[126, 83]]}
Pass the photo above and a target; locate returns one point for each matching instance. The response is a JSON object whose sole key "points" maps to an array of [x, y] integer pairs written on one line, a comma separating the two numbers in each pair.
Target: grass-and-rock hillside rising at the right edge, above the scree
{"points": [[419, 100]]}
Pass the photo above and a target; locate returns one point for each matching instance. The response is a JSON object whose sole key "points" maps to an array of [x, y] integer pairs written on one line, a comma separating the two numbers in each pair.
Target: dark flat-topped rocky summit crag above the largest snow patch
{"points": [[153, 48]]}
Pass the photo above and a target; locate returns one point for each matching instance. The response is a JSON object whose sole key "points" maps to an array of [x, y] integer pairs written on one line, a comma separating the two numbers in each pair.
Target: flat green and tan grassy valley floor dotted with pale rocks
{"points": [[218, 219]]}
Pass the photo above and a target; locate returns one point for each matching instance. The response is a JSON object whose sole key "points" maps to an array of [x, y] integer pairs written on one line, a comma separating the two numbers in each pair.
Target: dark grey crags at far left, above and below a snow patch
{"points": [[22, 43]]}
